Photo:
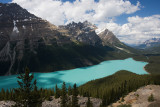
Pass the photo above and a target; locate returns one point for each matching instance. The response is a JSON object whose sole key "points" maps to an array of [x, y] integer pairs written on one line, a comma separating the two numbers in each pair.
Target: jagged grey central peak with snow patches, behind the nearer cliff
{"points": [[82, 32]]}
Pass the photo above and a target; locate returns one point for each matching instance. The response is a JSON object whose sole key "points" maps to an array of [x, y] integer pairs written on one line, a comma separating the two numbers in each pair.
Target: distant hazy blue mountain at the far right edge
{"points": [[154, 42]]}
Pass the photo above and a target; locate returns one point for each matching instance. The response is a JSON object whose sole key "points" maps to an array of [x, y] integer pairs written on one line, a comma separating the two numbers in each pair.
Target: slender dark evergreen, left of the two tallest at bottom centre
{"points": [[64, 96]]}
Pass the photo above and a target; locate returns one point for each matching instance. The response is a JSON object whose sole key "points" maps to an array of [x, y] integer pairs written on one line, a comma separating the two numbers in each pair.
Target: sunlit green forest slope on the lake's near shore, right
{"points": [[113, 87]]}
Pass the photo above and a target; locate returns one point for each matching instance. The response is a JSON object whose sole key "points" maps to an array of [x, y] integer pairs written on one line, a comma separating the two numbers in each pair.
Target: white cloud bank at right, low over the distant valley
{"points": [[137, 30]]}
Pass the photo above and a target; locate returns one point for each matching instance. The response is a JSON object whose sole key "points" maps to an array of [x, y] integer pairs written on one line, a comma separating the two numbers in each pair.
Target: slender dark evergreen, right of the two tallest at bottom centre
{"points": [[74, 97]]}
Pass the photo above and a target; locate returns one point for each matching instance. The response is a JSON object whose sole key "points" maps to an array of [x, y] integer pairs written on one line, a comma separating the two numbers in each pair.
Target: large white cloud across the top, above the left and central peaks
{"points": [[58, 12]]}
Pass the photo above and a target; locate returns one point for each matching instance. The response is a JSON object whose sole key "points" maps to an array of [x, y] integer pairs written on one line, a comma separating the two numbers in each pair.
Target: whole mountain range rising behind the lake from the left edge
{"points": [[27, 40]]}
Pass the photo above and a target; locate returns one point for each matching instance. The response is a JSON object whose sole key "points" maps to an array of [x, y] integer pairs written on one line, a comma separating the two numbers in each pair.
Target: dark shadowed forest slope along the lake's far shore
{"points": [[49, 58]]}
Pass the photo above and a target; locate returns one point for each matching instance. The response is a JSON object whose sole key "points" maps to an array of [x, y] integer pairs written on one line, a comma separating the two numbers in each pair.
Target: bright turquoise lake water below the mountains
{"points": [[78, 75]]}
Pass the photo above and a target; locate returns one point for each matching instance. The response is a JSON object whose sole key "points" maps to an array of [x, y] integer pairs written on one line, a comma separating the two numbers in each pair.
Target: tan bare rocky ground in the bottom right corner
{"points": [[140, 97]]}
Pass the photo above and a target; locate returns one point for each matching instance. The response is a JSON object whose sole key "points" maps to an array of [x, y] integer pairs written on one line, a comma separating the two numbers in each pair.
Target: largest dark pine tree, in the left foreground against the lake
{"points": [[27, 94]]}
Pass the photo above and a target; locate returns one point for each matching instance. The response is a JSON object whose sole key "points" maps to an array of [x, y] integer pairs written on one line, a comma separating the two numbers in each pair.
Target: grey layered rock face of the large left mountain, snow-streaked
{"points": [[21, 30]]}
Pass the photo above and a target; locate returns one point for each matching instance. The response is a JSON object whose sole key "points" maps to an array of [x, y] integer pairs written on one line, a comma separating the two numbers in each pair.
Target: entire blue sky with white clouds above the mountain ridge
{"points": [[132, 21]]}
